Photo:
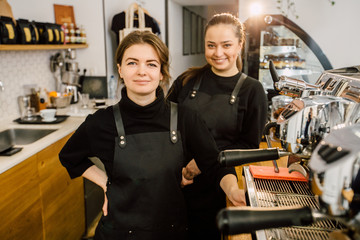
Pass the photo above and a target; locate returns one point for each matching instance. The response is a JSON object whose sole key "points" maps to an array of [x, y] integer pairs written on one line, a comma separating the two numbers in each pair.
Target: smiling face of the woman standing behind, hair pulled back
{"points": [[222, 48]]}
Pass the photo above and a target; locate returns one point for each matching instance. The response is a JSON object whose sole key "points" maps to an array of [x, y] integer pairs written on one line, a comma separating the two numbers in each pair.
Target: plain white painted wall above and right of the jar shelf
{"points": [[87, 13]]}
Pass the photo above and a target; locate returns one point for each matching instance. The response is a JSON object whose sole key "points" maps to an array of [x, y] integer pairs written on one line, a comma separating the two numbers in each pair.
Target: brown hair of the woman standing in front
{"points": [[146, 37]]}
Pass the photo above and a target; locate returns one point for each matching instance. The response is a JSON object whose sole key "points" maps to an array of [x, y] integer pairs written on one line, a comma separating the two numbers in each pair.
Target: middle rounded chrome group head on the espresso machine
{"points": [[306, 120]]}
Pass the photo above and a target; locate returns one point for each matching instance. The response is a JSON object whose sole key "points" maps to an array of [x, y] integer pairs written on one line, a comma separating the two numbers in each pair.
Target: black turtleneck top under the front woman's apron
{"points": [[95, 136]]}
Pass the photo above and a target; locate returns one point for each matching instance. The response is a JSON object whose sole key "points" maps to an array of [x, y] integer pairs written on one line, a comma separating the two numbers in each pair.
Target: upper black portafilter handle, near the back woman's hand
{"points": [[236, 157]]}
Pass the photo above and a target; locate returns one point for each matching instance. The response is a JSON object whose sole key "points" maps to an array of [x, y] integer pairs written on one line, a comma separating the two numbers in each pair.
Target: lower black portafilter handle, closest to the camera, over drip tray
{"points": [[232, 221]]}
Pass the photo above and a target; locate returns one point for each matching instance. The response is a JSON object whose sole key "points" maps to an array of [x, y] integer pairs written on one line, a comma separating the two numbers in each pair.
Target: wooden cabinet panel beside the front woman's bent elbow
{"points": [[62, 198]]}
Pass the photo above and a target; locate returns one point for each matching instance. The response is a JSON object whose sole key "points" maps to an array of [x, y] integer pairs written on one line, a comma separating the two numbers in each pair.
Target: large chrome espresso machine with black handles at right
{"points": [[327, 206]]}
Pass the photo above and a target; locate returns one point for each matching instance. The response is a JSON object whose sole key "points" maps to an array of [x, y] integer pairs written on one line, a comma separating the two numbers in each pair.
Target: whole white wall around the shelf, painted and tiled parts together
{"points": [[18, 68]]}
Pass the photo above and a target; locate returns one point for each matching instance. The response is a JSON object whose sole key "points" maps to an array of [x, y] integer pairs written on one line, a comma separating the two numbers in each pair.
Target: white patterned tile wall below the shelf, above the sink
{"points": [[22, 67]]}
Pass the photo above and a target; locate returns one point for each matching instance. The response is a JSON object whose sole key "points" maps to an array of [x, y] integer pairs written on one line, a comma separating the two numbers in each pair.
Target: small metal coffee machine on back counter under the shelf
{"points": [[66, 72]]}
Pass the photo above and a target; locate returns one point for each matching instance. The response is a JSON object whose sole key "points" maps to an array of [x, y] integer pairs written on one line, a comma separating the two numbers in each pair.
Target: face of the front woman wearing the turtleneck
{"points": [[141, 70]]}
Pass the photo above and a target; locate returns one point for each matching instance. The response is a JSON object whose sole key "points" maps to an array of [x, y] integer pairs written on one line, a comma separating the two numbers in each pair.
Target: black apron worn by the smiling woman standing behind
{"points": [[204, 198]]}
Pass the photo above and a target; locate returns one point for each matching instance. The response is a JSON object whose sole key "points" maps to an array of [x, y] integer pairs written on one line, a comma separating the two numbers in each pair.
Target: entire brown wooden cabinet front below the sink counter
{"points": [[40, 201]]}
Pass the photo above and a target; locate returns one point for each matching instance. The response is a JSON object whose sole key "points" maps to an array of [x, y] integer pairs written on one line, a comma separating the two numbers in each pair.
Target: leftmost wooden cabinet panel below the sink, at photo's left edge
{"points": [[20, 204]]}
